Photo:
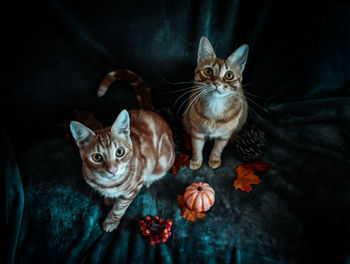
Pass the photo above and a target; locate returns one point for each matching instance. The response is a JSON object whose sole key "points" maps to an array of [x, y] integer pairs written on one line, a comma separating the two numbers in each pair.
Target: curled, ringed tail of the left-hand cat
{"points": [[141, 89]]}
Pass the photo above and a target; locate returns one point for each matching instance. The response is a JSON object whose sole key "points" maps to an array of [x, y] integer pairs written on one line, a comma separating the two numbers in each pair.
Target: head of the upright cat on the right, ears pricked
{"points": [[221, 77]]}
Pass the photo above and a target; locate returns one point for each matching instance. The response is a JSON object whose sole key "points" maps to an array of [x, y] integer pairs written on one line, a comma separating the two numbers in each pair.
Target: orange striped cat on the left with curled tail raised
{"points": [[137, 149]]}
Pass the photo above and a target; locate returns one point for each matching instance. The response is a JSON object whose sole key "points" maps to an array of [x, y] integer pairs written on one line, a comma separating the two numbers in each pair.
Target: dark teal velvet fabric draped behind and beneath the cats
{"points": [[56, 53]]}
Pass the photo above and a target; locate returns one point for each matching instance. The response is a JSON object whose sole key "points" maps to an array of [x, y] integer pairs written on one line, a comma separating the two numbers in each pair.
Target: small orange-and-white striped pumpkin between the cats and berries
{"points": [[199, 197]]}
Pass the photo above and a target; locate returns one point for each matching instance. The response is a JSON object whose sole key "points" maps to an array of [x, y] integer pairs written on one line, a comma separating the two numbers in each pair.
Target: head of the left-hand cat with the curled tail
{"points": [[106, 153]]}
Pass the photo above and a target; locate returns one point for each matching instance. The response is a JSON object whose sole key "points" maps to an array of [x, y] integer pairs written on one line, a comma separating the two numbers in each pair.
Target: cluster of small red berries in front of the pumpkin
{"points": [[157, 229]]}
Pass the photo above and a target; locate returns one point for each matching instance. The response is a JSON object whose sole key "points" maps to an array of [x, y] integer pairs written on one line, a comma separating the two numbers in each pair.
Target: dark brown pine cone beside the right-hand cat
{"points": [[249, 146]]}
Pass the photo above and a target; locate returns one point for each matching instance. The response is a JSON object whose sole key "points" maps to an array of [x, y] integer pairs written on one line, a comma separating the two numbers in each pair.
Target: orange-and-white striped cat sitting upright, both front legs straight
{"points": [[217, 107]]}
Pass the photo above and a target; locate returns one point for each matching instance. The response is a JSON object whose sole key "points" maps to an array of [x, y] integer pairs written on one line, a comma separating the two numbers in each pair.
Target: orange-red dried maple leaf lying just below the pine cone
{"points": [[246, 177]]}
